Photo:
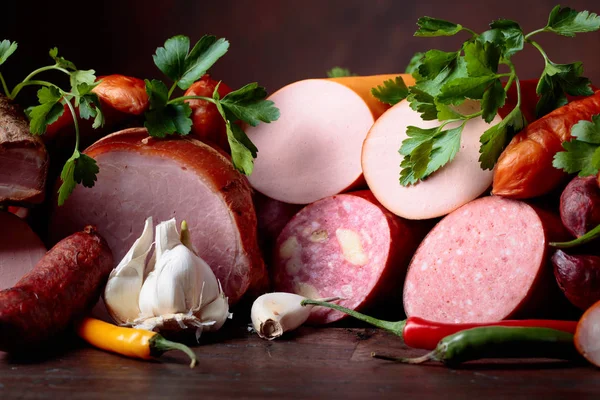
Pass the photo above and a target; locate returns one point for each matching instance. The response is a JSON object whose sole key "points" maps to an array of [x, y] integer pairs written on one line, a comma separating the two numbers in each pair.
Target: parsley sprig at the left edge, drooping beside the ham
{"points": [[79, 168]]}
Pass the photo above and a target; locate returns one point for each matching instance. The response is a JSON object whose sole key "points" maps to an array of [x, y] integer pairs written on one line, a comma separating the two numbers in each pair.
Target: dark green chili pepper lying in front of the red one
{"points": [[498, 342]]}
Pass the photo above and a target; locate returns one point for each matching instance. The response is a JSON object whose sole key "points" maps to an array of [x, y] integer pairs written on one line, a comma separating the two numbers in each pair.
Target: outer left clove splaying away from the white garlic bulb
{"points": [[125, 281]]}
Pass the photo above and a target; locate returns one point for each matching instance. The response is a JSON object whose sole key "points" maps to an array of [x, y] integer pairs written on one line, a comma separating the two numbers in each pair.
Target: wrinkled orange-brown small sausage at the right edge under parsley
{"points": [[524, 169]]}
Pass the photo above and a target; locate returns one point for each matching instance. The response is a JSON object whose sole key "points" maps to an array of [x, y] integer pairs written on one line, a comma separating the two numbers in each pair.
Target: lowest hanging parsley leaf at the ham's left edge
{"points": [[80, 168]]}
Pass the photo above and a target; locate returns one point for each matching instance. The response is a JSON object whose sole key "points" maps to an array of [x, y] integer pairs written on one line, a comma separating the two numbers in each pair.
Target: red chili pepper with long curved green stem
{"points": [[423, 334]]}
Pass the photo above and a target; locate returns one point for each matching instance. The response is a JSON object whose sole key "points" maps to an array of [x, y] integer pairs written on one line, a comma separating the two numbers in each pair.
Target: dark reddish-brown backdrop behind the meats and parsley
{"points": [[272, 42]]}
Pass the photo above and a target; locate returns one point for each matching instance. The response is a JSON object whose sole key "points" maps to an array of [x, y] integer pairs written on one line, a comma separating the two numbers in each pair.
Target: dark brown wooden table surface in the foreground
{"points": [[310, 363]]}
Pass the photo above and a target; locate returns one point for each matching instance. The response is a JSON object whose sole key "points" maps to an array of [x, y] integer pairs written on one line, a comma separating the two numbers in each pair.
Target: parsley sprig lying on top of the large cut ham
{"points": [[168, 116]]}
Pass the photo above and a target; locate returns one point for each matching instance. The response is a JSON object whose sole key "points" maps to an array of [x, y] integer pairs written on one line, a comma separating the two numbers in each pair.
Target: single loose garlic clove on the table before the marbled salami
{"points": [[274, 313]]}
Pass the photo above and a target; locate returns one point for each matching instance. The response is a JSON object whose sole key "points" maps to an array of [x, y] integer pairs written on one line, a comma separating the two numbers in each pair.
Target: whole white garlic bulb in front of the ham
{"points": [[178, 289]]}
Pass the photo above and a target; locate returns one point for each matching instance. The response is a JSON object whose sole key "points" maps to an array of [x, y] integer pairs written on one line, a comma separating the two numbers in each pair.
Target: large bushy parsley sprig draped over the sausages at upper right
{"points": [[445, 80]]}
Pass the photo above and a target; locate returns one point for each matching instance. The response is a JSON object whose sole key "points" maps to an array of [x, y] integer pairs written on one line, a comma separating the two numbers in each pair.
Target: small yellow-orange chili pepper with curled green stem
{"points": [[130, 342]]}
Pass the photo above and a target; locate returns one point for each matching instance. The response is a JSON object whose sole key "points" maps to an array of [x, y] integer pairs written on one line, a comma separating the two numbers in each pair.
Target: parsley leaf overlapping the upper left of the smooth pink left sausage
{"points": [[248, 105]]}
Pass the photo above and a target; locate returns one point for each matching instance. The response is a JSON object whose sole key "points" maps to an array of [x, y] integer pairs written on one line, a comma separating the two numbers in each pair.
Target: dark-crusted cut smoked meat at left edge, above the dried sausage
{"points": [[23, 158]]}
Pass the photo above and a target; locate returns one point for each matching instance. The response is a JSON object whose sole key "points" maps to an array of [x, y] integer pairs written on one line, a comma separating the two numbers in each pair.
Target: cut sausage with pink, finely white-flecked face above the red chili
{"points": [[485, 262]]}
